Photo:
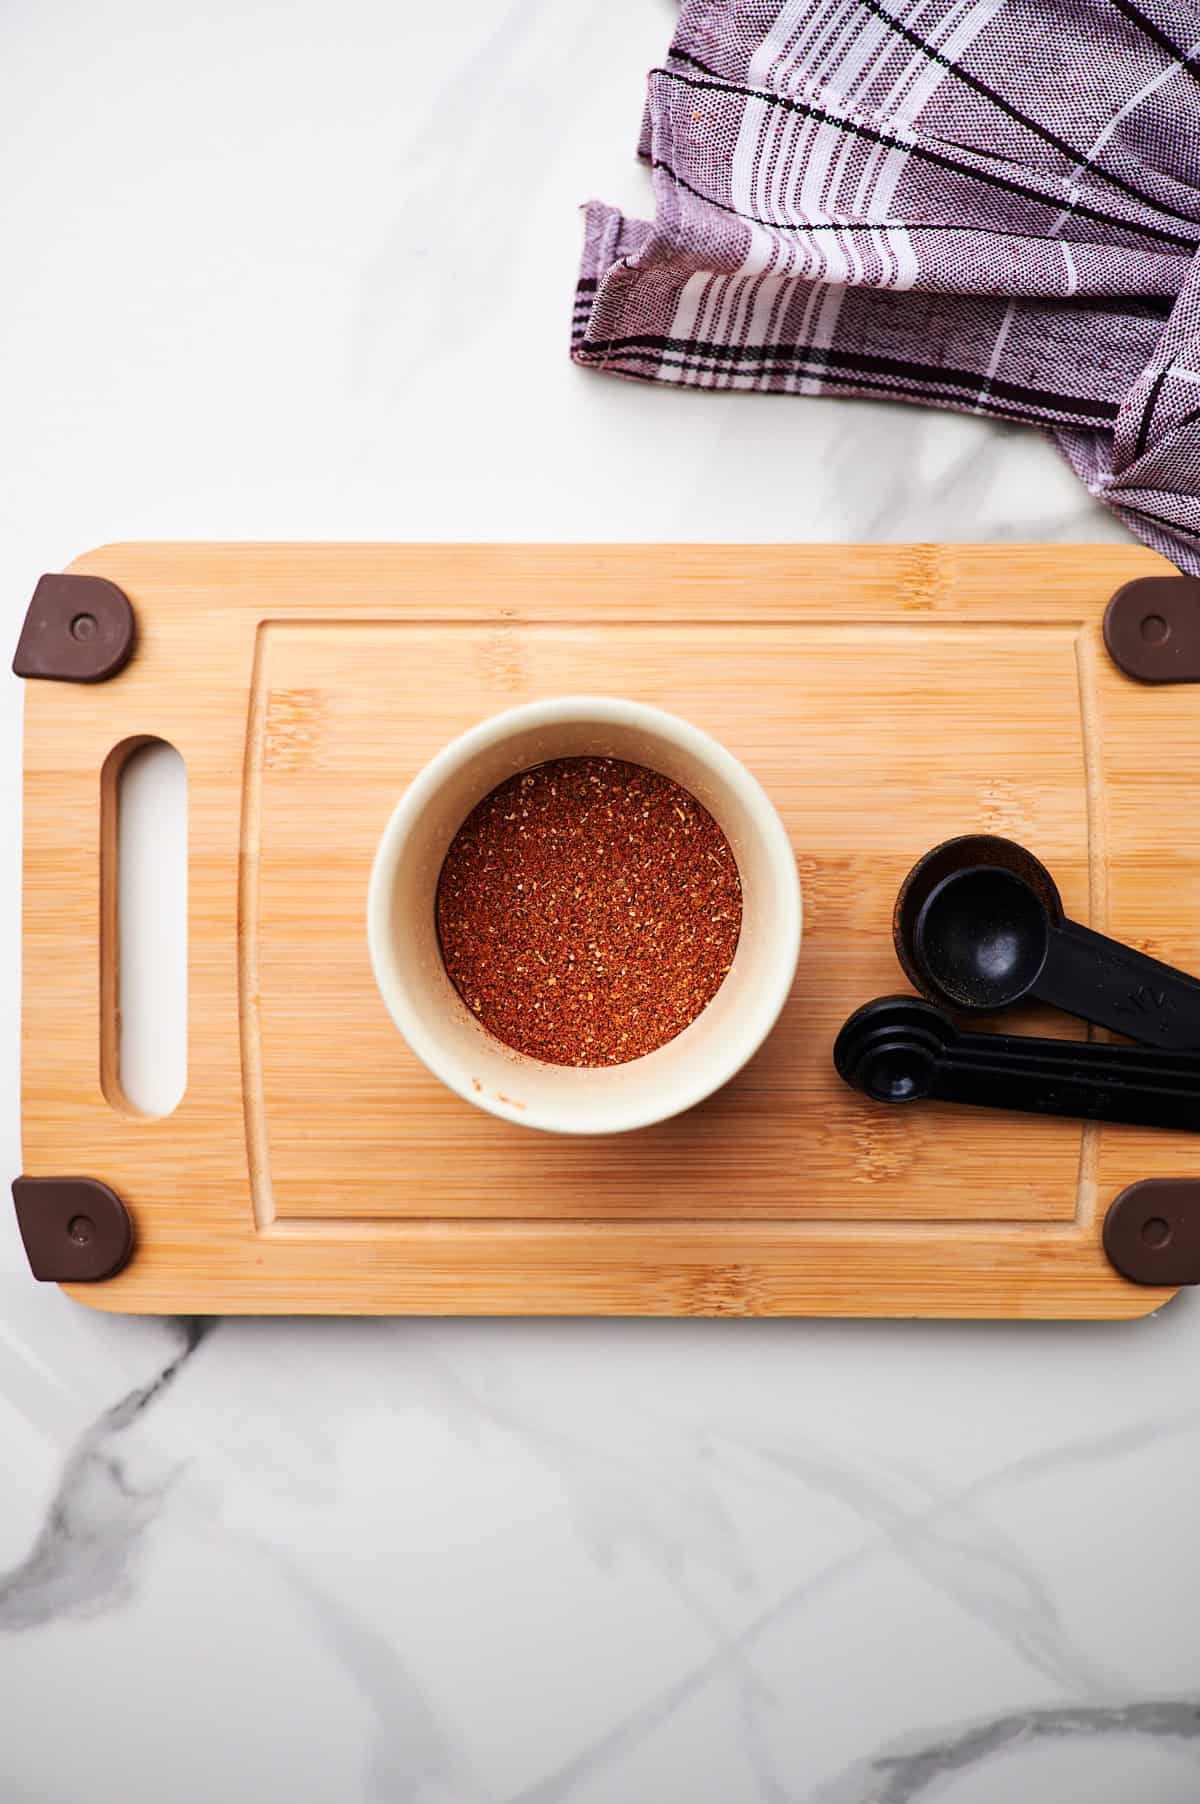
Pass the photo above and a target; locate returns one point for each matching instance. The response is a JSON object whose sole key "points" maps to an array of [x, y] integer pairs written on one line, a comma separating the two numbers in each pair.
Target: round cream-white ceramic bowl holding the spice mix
{"points": [[432, 1017]]}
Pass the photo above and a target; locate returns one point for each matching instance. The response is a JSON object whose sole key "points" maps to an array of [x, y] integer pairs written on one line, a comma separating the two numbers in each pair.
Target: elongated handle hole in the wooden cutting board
{"points": [[143, 1056]]}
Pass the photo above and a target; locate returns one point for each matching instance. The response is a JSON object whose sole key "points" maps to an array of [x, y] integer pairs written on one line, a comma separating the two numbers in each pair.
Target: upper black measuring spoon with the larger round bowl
{"points": [[981, 926]]}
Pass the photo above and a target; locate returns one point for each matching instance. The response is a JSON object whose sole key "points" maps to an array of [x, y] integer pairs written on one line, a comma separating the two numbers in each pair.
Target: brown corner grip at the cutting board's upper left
{"points": [[78, 629]]}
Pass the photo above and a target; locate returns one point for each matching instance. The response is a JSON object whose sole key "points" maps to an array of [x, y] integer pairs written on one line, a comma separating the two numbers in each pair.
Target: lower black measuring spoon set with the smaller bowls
{"points": [[901, 1049]]}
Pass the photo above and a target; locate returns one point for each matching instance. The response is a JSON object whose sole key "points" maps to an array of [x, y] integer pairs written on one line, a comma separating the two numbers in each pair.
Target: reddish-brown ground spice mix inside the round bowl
{"points": [[589, 910]]}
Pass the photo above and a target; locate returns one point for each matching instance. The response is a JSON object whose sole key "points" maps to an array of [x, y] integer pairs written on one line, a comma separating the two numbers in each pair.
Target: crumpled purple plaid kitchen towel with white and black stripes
{"points": [[979, 205]]}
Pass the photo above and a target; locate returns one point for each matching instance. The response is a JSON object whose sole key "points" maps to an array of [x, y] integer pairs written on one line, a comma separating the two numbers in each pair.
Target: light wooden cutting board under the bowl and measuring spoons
{"points": [[889, 697]]}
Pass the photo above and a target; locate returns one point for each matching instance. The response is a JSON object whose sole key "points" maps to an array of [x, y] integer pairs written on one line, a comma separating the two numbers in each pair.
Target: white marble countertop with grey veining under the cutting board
{"points": [[282, 270]]}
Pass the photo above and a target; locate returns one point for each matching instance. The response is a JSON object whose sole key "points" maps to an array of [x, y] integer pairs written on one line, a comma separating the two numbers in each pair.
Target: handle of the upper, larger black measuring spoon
{"points": [[1111, 984]]}
